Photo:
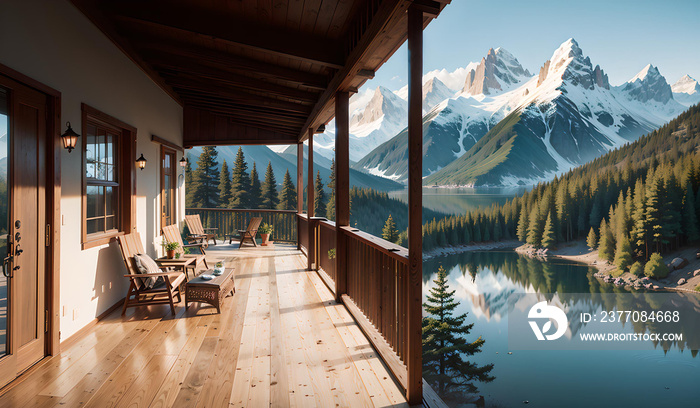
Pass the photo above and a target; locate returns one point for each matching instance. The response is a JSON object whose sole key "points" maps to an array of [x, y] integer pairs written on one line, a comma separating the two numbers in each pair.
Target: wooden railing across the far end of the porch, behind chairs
{"points": [[228, 221]]}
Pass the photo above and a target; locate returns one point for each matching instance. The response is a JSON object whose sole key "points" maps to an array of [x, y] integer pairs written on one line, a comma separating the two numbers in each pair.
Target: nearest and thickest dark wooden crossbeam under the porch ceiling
{"points": [[248, 34]]}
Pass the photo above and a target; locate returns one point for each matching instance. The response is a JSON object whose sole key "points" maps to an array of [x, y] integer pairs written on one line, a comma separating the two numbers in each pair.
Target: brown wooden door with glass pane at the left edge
{"points": [[23, 227]]}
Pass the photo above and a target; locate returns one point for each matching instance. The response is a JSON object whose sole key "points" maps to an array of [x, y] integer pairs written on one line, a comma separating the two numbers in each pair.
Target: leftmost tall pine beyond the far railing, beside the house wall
{"points": [[205, 180]]}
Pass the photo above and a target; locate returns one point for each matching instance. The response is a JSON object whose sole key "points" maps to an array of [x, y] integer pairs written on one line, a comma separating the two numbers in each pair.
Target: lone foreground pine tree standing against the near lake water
{"points": [[445, 345]]}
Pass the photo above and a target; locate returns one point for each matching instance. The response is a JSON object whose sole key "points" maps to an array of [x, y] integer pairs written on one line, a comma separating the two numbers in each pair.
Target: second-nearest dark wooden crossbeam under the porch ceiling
{"points": [[237, 63]]}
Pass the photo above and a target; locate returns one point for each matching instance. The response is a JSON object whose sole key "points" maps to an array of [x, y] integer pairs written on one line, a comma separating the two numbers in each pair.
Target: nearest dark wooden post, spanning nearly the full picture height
{"points": [[414, 359]]}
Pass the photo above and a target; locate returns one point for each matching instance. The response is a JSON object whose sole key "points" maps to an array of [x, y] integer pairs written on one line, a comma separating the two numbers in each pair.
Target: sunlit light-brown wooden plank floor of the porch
{"points": [[281, 340]]}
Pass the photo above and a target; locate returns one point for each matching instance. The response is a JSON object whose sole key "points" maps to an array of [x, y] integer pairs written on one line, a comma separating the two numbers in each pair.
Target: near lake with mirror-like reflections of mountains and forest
{"points": [[483, 282]]}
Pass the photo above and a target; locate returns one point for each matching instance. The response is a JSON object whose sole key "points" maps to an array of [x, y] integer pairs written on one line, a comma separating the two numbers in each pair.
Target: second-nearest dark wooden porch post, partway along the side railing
{"points": [[342, 189]]}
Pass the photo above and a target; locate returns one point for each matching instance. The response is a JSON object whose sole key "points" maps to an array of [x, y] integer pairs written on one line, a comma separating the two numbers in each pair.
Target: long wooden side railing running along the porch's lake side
{"points": [[377, 286]]}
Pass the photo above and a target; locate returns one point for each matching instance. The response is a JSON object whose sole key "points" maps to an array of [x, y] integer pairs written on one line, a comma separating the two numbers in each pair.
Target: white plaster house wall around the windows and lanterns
{"points": [[53, 43]]}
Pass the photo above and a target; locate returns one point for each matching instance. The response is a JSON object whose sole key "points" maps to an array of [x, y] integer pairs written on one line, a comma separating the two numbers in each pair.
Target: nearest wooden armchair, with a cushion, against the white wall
{"points": [[139, 295]]}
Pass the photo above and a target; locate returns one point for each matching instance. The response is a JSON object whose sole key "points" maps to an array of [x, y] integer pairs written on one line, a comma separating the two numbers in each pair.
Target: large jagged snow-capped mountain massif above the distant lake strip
{"points": [[508, 127]]}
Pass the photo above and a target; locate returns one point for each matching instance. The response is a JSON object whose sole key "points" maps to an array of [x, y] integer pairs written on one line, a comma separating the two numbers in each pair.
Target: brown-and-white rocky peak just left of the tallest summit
{"points": [[497, 71]]}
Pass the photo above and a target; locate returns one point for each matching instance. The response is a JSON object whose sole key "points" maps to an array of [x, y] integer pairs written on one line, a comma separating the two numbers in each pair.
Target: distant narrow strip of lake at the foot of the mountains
{"points": [[461, 200]]}
